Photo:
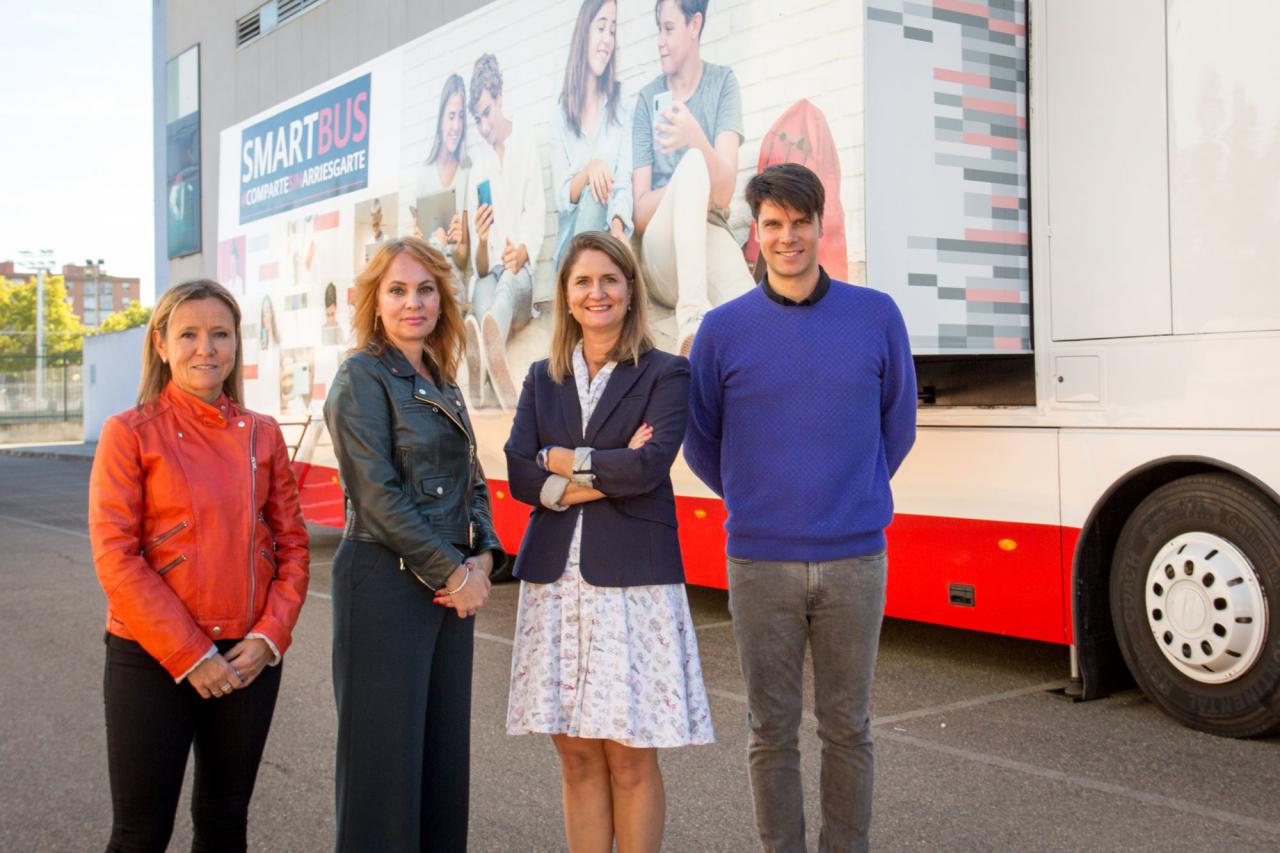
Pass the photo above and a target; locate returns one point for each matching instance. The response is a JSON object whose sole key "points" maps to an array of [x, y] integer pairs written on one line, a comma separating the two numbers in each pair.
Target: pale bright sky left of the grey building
{"points": [[76, 134]]}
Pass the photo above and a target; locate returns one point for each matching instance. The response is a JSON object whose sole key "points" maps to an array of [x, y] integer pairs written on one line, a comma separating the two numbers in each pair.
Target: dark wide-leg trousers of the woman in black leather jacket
{"points": [[403, 681]]}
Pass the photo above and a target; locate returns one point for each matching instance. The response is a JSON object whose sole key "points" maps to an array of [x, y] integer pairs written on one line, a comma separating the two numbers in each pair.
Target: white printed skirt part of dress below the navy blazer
{"points": [[612, 663]]}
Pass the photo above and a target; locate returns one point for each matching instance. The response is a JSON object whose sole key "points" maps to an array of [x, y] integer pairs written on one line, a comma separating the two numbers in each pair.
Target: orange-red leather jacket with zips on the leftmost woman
{"points": [[196, 528]]}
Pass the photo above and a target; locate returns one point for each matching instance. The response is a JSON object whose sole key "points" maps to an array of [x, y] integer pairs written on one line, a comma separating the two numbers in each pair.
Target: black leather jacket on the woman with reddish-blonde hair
{"points": [[408, 460]]}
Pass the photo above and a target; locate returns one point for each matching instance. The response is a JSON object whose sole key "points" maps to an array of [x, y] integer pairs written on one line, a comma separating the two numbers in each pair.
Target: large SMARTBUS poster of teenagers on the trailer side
{"points": [[409, 144]]}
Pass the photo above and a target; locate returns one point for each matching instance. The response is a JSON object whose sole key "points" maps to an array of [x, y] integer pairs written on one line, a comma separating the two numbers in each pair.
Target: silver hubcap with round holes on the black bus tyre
{"points": [[1206, 609]]}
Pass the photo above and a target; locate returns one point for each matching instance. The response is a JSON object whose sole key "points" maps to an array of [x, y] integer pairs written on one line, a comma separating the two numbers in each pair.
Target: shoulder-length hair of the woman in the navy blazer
{"points": [[636, 339]]}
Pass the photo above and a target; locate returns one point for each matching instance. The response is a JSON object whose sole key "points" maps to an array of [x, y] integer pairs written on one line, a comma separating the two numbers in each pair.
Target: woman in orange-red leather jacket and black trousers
{"points": [[202, 550]]}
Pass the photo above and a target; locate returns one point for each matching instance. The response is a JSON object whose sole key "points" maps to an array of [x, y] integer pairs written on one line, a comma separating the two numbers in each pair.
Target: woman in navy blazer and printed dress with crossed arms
{"points": [[606, 659]]}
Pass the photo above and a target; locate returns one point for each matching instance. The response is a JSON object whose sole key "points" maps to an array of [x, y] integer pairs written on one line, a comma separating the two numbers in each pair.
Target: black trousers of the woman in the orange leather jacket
{"points": [[152, 726]]}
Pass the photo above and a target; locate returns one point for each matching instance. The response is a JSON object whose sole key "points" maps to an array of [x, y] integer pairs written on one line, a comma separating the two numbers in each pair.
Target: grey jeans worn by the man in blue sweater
{"points": [[838, 609]]}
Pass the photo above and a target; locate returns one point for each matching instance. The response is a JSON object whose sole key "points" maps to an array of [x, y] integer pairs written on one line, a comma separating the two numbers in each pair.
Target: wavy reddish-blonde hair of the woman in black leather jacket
{"points": [[445, 344]]}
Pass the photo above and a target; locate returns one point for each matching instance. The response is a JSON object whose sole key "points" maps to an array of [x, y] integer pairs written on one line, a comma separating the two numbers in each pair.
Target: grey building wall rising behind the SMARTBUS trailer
{"points": [[235, 84]]}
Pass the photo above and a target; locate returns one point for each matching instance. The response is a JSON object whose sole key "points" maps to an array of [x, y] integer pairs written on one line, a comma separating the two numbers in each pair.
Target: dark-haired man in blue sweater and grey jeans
{"points": [[802, 408]]}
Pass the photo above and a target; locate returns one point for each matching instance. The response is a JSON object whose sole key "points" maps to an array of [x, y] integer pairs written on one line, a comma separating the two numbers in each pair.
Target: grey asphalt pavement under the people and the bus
{"points": [[975, 749]]}
